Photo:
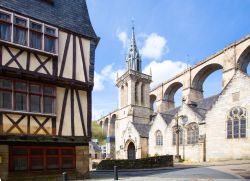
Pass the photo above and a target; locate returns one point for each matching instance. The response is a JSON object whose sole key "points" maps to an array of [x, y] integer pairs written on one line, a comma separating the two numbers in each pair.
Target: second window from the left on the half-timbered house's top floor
{"points": [[20, 31]]}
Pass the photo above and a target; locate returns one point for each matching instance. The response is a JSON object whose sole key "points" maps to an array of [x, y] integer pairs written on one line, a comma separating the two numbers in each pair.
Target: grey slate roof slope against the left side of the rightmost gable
{"points": [[203, 105]]}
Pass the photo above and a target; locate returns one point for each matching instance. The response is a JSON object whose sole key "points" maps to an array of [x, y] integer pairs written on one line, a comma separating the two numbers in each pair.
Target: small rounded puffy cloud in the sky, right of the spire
{"points": [[154, 46]]}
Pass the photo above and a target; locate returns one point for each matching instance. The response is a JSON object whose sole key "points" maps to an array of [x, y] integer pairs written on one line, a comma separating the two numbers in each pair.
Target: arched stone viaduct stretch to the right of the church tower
{"points": [[233, 57]]}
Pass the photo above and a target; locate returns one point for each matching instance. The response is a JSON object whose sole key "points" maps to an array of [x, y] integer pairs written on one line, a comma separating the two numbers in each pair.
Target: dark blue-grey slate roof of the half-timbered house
{"points": [[71, 15]]}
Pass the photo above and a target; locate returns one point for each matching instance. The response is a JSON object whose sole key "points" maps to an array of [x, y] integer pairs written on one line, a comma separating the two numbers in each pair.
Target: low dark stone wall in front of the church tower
{"points": [[151, 162]]}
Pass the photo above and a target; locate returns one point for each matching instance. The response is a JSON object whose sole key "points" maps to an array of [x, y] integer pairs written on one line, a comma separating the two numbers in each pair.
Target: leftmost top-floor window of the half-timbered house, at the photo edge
{"points": [[5, 26]]}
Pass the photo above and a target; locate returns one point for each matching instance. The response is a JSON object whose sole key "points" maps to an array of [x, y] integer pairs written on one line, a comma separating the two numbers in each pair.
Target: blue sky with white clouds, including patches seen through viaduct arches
{"points": [[171, 35]]}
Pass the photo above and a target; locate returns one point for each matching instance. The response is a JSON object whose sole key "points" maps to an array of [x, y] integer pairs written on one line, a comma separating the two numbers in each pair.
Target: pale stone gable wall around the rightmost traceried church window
{"points": [[219, 147]]}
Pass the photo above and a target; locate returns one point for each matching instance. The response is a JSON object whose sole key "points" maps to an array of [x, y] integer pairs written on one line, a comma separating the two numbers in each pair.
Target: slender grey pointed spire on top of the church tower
{"points": [[133, 58]]}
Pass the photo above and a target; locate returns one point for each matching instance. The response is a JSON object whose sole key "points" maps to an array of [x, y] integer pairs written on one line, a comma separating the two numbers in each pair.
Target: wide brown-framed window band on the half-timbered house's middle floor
{"points": [[26, 96]]}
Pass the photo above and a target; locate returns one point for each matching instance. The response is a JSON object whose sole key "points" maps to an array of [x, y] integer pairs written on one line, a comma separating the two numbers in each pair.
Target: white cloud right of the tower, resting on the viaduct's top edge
{"points": [[162, 71]]}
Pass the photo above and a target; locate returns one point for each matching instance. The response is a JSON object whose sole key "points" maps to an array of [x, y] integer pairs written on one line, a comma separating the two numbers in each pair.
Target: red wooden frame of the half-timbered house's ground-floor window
{"points": [[44, 156]]}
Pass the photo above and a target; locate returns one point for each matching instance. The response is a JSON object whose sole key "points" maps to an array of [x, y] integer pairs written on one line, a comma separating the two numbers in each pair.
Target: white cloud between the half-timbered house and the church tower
{"points": [[107, 75]]}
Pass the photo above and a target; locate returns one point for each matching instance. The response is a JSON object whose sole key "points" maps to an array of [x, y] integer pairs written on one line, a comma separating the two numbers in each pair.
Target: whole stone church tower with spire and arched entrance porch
{"points": [[133, 114]]}
